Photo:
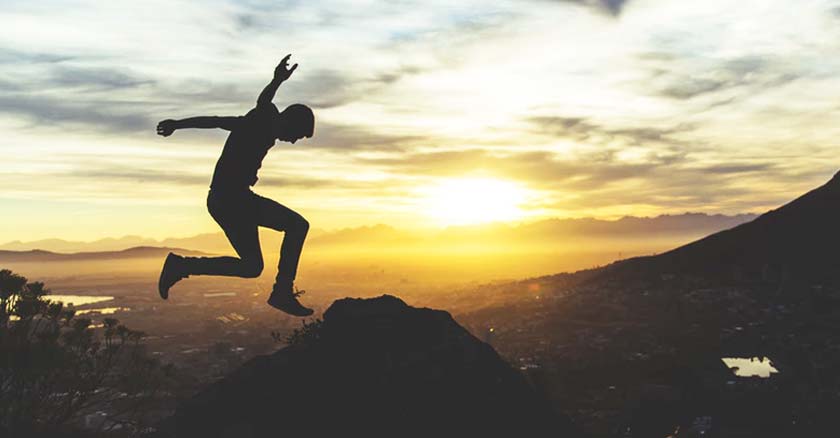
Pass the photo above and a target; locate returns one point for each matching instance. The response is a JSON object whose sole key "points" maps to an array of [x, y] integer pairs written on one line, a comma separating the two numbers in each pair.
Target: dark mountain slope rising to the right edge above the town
{"points": [[799, 240]]}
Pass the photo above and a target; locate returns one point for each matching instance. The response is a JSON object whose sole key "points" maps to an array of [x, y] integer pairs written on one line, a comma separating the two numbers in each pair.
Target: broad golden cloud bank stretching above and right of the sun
{"points": [[593, 182]]}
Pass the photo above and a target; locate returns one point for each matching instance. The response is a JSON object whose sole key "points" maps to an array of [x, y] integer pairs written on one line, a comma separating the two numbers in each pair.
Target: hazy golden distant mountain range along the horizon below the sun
{"points": [[681, 227]]}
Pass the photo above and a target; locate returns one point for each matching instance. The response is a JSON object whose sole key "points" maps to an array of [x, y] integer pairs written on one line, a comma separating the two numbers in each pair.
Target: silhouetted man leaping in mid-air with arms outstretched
{"points": [[237, 209]]}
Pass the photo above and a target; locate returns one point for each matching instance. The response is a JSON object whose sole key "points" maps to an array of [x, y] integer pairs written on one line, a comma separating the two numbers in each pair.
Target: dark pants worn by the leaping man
{"points": [[239, 214]]}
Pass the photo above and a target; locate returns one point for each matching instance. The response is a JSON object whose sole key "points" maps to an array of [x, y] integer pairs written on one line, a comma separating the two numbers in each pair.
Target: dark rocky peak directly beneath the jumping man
{"points": [[373, 367]]}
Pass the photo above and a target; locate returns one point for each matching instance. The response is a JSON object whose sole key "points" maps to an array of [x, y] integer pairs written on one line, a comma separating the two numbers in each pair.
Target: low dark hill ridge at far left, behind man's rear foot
{"points": [[131, 253]]}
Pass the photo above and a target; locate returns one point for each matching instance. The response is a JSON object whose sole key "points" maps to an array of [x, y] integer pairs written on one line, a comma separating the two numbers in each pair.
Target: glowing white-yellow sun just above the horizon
{"points": [[468, 201]]}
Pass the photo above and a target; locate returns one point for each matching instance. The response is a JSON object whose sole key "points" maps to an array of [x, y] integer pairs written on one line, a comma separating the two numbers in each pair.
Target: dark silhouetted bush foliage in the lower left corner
{"points": [[55, 369]]}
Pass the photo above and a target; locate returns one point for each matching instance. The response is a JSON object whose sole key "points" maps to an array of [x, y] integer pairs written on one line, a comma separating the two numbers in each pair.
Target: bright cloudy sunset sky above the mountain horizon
{"points": [[518, 110]]}
